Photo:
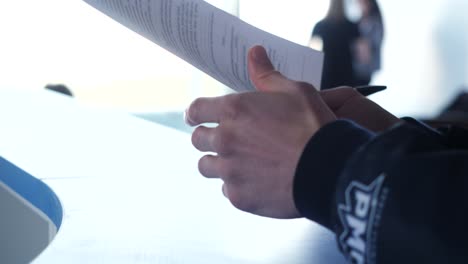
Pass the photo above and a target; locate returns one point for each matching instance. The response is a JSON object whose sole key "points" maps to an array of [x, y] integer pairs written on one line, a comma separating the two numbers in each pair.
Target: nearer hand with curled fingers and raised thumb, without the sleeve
{"points": [[259, 139]]}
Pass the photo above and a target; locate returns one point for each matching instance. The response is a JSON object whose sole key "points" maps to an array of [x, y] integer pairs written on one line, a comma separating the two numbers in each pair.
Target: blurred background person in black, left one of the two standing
{"points": [[336, 35]]}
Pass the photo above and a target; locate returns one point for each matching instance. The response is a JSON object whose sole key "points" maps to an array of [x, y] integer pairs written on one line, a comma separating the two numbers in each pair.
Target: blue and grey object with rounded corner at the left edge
{"points": [[30, 215]]}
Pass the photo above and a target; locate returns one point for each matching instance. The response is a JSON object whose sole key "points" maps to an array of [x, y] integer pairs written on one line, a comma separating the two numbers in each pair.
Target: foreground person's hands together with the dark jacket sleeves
{"points": [[394, 195]]}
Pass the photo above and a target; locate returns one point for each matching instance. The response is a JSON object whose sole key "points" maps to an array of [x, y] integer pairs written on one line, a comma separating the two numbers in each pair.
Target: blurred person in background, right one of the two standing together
{"points": [[367, 59]]}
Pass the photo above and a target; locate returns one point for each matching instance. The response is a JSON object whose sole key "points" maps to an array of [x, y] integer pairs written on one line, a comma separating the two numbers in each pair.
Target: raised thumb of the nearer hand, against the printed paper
{"points": [[262, 72]]}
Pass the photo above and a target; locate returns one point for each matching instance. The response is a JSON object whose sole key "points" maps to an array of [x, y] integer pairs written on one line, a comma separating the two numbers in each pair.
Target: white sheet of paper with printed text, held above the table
{"points": [[211, 39]]}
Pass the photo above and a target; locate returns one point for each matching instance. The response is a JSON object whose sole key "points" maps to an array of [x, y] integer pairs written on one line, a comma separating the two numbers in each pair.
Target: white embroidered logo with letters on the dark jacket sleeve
{"points": [[357, 217]]}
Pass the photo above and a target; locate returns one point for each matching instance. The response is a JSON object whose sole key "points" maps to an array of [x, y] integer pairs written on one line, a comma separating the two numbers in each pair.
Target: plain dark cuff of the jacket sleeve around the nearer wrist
{"points": [[320, 165]]}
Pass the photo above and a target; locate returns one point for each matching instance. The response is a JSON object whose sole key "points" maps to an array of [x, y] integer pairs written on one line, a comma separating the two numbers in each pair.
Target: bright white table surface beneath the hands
{"points": [[131, 191]]}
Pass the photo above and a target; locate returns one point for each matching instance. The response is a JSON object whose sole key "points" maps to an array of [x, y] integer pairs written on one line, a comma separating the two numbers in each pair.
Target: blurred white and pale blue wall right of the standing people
{"points": [[425, 54]]}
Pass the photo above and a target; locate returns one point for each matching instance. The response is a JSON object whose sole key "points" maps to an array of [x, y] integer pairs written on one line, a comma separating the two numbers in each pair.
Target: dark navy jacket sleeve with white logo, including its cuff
{"points": [[396, 197]]}
